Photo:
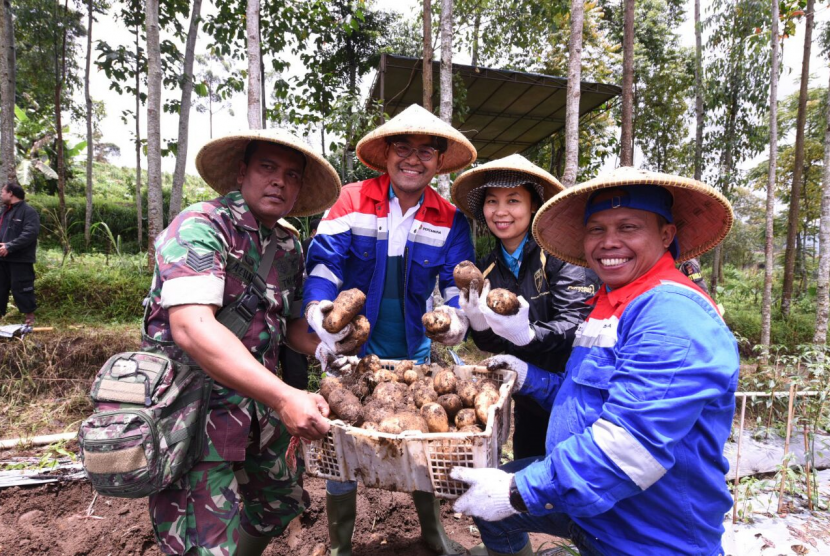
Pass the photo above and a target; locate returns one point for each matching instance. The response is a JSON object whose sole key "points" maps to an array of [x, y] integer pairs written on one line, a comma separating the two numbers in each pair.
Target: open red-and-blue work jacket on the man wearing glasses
{"points": [[350, 249]]}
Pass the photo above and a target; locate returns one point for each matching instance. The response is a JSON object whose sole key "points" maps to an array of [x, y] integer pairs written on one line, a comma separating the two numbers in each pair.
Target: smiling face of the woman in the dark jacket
{"points": [[508, 212]]}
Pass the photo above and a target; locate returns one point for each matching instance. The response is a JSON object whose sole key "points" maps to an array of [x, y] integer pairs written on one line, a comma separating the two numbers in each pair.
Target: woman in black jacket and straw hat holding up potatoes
{"points": [[504, 195]]}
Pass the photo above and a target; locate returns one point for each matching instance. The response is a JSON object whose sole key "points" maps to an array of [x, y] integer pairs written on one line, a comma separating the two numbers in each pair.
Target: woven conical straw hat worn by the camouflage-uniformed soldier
{"points": [[218, 164]]}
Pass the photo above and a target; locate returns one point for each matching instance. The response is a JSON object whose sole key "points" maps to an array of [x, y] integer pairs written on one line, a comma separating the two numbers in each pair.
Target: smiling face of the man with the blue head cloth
{"points": [[622, 244]]}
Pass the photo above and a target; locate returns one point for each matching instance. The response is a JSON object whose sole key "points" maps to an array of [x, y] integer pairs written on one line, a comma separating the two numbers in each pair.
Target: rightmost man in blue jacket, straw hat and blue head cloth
{"points": [[634, 454]]}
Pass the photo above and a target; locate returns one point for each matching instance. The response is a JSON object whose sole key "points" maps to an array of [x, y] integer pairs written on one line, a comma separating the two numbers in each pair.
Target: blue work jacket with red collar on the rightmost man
{"points": [[634, 451]]}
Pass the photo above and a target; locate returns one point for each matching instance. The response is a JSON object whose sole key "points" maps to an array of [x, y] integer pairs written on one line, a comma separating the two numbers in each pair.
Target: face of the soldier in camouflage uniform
{"points": [[271, 181]]}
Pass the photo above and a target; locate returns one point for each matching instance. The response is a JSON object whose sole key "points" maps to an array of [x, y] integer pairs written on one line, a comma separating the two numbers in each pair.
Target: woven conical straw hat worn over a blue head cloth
{"points": [[702, 215]]}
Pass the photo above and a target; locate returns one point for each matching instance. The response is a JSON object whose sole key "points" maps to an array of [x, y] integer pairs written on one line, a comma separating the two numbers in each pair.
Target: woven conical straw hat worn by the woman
{"points": [[474, 178]]}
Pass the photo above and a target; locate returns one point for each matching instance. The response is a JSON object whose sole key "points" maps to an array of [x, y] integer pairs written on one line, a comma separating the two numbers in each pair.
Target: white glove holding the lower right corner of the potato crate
{"points": [[488, 496]]}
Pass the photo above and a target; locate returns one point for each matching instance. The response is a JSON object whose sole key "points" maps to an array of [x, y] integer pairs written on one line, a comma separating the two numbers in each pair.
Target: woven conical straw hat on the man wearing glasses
{"points": [[415, 120]]}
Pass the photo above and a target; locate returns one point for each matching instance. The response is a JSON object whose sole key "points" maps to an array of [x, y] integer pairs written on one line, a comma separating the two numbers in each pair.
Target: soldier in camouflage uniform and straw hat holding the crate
{"points": [[246, 488]]}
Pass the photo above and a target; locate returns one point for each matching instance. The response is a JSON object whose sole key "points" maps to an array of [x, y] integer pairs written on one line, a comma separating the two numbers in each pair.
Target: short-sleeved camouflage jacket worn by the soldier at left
{"points": [[201, 258]]}
